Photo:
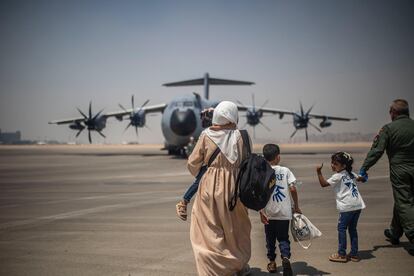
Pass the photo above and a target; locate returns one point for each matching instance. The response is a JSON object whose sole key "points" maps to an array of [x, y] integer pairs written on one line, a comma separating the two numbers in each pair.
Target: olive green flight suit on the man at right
{"points": [[397, 139]]}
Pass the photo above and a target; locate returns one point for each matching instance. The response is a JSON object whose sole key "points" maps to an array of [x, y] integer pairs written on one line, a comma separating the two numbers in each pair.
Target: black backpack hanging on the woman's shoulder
{"points": [[256, 180]]}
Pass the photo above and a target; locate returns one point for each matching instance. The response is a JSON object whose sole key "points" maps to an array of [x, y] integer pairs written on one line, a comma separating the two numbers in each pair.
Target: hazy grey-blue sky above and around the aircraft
{"points": [[350, 58]]}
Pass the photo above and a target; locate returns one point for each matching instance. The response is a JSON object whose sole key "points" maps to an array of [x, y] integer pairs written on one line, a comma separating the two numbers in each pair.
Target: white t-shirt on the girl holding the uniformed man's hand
{"points": [[347, 194]]}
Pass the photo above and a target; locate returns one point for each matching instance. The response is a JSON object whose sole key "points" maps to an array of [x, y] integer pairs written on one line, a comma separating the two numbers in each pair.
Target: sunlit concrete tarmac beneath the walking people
{"points": [[110, 210]]}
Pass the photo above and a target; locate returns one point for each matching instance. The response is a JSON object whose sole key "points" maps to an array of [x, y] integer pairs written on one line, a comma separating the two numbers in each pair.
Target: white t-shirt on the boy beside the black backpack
{"points": [[279, 206]]}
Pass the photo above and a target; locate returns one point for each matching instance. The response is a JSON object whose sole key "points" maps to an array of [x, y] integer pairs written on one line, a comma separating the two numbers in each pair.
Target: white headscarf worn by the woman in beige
{"points": [[226, 139]]}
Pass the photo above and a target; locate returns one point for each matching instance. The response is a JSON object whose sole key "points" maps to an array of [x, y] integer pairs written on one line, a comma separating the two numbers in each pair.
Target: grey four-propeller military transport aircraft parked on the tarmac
{"points": [[181, 116]]}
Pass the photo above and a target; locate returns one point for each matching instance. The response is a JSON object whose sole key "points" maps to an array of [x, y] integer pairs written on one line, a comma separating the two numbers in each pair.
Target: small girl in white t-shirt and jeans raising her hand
{"points": [[348, 202]]}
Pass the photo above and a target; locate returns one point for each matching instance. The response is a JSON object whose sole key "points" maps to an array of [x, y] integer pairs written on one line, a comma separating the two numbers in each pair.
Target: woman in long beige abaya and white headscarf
{"points": [[220, 238]]}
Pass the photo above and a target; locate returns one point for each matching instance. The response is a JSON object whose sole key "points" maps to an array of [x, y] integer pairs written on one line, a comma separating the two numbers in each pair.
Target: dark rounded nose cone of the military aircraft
{"points": [[183, 123]]}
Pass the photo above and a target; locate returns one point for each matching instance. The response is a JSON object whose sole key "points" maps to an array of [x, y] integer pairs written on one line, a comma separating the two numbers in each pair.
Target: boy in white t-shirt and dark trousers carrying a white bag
{"points": [[278, 211]]}
